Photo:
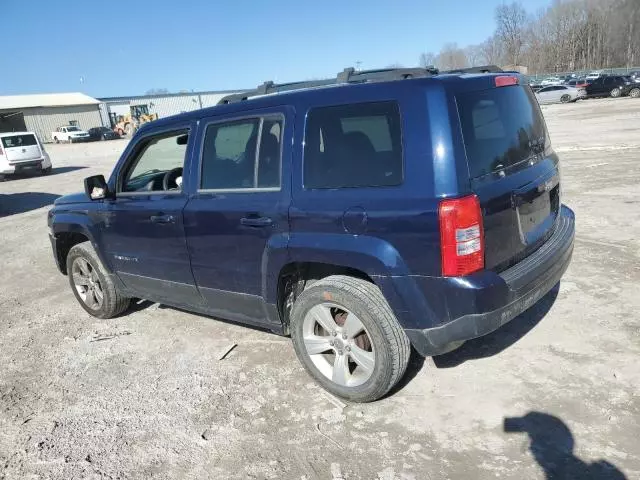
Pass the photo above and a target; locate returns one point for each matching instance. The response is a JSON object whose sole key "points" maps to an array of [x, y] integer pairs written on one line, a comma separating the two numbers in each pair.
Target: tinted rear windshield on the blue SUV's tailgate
{"points": [[501, 127]]}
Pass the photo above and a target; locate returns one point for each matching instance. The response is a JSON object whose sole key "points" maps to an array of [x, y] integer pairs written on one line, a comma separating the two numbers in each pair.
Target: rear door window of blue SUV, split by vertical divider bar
{"points": [[242, 154]]}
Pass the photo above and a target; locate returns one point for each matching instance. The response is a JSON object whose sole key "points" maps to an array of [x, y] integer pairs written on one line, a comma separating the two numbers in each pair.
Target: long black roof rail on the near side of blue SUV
{"points": [[348, 75]]}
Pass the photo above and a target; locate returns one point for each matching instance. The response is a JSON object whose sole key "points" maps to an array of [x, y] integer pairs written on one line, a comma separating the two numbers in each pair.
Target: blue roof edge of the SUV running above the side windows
{"points": [[311, 95]]}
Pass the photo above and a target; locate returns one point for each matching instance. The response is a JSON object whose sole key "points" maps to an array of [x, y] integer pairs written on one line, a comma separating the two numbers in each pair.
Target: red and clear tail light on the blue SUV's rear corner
{"points": [[461, 236]]}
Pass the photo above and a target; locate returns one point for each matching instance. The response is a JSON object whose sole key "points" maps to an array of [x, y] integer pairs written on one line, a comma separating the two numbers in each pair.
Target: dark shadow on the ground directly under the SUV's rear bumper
{"points": [[504, 337]]}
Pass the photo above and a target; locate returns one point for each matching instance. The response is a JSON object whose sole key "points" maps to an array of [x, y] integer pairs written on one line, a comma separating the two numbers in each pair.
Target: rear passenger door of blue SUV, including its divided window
{"points": [[238, 219]]}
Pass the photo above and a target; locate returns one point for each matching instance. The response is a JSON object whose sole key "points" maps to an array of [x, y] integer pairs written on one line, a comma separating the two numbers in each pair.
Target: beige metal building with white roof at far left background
{"points": [[43, 113]]}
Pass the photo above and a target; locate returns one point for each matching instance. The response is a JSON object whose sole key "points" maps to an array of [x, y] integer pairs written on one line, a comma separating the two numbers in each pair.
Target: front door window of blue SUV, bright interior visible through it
{"points": [[157, 163]]}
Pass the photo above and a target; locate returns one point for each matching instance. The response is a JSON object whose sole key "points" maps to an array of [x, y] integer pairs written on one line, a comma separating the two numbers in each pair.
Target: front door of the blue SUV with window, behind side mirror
{"points": [[143, 231]]}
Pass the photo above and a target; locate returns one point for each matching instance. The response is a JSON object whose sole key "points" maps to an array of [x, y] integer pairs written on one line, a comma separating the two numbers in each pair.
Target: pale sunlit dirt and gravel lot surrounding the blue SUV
{"points": [[145, 396]]}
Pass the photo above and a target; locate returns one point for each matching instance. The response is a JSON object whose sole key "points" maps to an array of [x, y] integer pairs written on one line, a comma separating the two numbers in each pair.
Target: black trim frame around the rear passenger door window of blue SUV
{"points": [[247, 116]]}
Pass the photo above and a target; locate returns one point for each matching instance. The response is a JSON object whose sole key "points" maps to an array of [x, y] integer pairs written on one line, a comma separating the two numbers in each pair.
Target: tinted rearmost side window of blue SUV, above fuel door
{"points": [[356, 145]]}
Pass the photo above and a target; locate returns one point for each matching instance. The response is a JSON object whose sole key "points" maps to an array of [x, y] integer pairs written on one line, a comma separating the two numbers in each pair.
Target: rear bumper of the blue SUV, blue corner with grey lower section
{"points": [[491, 299]]}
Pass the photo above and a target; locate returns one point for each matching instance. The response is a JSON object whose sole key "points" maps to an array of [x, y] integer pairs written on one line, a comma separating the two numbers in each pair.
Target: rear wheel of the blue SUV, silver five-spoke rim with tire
{"points": [[348, 339]]}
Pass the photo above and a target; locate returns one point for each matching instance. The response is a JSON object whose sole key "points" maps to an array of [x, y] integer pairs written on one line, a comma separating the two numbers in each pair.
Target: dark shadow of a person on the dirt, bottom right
{"points": [[551, 444]]}
